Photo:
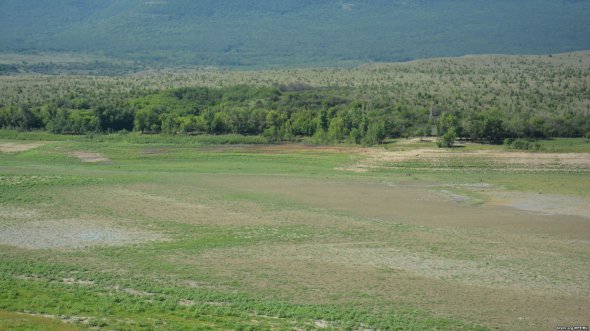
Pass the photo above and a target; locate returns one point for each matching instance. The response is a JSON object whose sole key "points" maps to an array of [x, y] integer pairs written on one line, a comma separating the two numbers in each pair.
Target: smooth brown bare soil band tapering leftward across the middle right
{"points": [[408, 204]]}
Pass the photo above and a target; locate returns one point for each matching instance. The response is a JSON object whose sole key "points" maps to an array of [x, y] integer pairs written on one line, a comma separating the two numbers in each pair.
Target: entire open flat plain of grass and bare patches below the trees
{"points": [[130, 232]]}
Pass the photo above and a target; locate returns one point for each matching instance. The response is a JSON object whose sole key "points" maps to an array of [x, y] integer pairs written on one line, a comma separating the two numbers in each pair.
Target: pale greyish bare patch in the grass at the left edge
{"points": [[71, 233]]}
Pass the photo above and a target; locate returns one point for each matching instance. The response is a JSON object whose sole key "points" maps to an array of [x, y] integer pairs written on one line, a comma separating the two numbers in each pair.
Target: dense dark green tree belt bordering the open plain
{"points": [[284, 113]]}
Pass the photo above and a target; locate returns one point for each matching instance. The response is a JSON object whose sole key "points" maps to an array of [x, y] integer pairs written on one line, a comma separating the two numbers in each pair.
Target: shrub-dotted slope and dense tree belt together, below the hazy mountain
{"points": [[486, 98]]}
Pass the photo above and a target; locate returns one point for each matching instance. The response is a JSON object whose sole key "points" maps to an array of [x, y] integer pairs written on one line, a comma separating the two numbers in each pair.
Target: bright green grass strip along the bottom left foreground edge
{"points": [[187, 309]]}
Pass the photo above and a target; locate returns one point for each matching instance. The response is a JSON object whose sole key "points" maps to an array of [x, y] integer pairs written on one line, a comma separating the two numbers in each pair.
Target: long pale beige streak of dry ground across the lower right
{"points": [[425, 264]]}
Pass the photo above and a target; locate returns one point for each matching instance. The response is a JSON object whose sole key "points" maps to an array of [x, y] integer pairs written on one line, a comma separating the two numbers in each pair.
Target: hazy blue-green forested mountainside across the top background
{"points": [[237, 33]]}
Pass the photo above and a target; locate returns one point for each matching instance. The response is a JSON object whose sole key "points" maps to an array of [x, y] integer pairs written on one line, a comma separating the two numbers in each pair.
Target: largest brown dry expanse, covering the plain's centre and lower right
{"points": [[341, 241]]}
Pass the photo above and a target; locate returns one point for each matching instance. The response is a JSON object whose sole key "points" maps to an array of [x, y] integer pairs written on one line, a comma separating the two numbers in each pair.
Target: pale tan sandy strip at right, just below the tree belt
{"points": [[374, 158]]}
